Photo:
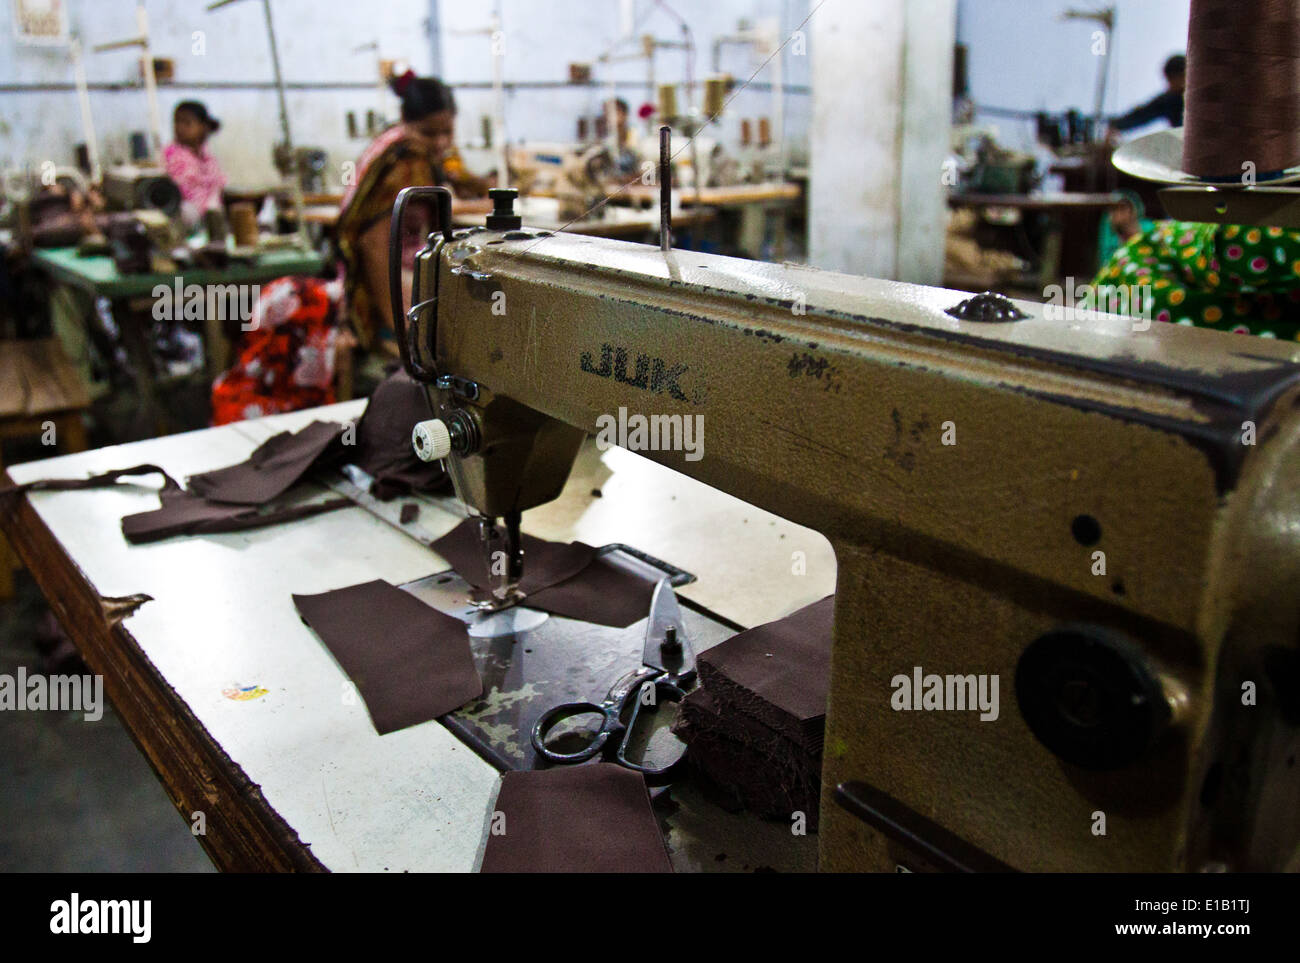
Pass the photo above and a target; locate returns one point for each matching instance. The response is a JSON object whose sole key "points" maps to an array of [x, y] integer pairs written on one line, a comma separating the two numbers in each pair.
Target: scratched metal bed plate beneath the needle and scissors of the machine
{"points": [[561, 661]]}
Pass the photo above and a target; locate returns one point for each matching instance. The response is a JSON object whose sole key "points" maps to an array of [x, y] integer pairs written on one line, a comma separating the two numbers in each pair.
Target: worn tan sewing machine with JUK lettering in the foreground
{"points": [[1097, 526]]}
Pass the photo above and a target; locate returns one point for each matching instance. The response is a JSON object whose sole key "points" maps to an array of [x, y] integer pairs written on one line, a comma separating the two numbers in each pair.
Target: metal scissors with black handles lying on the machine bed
{"points": [[668, 665]]}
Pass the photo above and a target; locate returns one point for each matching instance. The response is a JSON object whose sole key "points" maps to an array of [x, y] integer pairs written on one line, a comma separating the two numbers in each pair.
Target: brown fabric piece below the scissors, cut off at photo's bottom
{"points": [[586, 819]]}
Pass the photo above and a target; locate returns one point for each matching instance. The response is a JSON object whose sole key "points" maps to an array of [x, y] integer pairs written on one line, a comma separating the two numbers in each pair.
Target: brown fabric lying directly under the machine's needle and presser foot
{"points": [[567, 580]]}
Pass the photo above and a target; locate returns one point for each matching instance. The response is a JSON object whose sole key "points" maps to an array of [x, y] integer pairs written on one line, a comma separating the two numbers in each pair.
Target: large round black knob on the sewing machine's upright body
{"points": [[1091, 697]]}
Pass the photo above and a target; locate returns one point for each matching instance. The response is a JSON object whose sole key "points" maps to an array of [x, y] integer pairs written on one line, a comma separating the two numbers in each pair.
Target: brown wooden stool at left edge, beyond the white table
{"points": [[41, 397]]}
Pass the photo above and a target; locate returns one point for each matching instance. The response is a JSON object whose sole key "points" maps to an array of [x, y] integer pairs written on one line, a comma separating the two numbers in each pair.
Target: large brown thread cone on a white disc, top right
{"points": [[1243, 89]]}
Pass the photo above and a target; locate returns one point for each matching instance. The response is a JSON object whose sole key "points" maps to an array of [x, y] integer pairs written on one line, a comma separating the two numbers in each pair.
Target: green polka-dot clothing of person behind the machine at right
{"points": [[1233, 277]]}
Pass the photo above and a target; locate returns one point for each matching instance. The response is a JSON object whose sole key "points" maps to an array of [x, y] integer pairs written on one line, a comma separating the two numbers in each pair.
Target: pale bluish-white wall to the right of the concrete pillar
{"points": [[1025, 58]]}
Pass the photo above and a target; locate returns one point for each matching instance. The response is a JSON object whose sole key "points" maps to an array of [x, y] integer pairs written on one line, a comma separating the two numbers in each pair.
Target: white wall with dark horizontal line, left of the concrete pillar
{"points": [[40, 118]]}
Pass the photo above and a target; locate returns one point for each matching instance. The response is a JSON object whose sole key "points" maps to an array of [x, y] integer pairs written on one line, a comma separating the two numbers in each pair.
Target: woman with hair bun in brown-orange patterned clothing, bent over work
{"points": [[417, 151]]}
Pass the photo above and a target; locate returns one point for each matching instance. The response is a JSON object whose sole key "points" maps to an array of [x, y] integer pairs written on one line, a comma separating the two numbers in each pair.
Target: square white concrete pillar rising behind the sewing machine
{"points": [[882, 114]]}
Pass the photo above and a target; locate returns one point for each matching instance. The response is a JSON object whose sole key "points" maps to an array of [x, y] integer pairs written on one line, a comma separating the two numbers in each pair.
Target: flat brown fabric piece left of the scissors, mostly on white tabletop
{"points": [[410, 662]]}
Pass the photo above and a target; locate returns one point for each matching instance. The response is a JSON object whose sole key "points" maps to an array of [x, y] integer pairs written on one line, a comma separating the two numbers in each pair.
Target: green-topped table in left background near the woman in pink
{"points": [[99, 277]]}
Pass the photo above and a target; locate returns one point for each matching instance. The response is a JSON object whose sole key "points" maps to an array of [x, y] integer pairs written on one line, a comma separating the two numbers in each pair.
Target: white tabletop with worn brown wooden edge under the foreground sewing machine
{"points": [[297, 778]]}
